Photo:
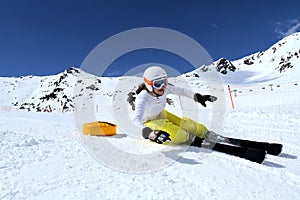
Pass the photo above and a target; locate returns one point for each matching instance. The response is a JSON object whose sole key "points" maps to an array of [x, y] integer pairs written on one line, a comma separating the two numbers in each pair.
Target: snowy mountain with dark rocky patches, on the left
{"points": [[44, 94]]}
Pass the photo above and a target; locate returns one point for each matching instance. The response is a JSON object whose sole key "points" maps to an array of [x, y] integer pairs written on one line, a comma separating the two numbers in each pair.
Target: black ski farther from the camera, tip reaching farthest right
{"points": [[271, 148]]}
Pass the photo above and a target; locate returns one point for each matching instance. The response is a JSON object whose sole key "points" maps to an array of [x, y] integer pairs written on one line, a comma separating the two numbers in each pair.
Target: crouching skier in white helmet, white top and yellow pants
{"points": [[158, 124]]}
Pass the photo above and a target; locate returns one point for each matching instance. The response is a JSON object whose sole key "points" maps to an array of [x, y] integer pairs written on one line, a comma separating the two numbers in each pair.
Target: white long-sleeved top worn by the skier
{"points": [[148, 107]]}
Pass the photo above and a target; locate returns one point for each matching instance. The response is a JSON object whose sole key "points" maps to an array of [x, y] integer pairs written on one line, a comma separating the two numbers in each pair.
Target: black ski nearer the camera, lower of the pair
{"points": [[254, 155]]}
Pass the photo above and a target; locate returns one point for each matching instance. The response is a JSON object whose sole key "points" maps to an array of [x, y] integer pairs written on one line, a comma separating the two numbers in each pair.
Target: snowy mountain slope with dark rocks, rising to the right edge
{"points": [[280, 62]]}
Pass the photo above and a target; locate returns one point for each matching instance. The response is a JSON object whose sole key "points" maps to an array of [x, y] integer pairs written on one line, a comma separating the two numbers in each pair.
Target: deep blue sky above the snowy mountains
{"points": [[45, 37]]}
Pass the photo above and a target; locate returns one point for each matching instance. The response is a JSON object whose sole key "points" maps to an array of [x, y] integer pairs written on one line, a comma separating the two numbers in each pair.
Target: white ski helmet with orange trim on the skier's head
{"points": [[153, 73]]}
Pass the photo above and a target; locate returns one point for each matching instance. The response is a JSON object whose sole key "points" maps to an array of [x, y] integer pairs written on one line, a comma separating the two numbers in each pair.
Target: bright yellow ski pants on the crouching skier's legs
{"points": [[178, 128]]}
